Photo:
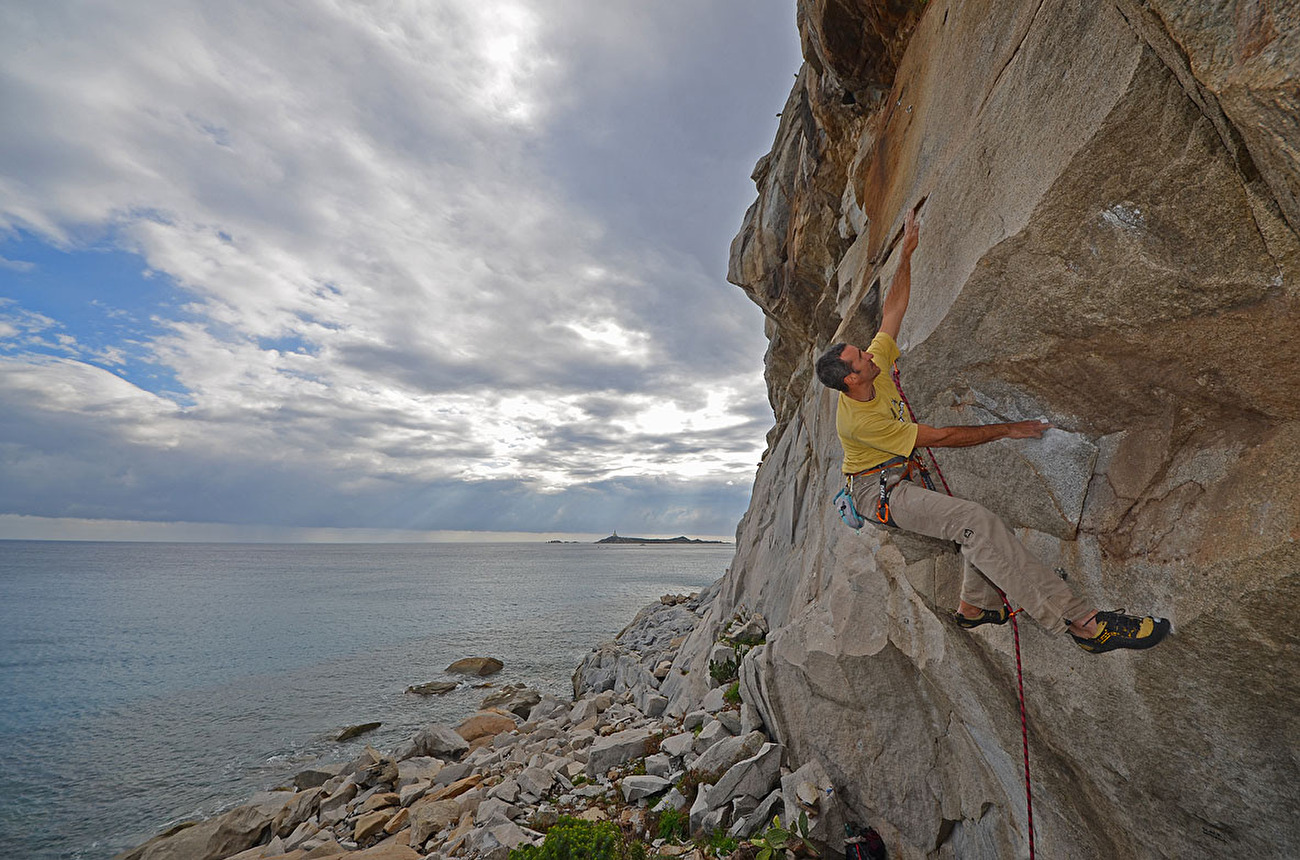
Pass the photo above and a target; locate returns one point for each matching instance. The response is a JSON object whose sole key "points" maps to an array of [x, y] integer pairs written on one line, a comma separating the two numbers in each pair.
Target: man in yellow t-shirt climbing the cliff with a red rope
{"points": [[879, 458]]}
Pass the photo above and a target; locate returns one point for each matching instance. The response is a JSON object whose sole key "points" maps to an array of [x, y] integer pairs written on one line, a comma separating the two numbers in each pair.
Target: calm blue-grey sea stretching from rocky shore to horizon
{"points": [[149, 684]]}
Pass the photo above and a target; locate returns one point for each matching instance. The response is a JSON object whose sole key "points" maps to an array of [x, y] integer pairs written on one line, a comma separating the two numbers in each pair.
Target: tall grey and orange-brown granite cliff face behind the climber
{"points": [[1110, 241]]}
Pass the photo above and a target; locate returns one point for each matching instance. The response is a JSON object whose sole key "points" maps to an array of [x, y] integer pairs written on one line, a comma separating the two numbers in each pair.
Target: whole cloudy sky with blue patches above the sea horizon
{"points": [[384, 266]]}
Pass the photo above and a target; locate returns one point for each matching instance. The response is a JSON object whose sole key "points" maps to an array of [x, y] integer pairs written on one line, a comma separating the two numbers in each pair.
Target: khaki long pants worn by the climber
{"points": [[991, 553]]}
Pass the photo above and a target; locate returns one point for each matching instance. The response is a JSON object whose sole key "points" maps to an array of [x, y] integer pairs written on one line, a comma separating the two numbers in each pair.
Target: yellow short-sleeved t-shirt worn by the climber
{"points": [[879, 429]]}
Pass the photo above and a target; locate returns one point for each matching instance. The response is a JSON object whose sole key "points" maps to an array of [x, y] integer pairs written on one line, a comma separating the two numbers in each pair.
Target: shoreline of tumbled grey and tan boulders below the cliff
{"points": [[665, 775]]}
